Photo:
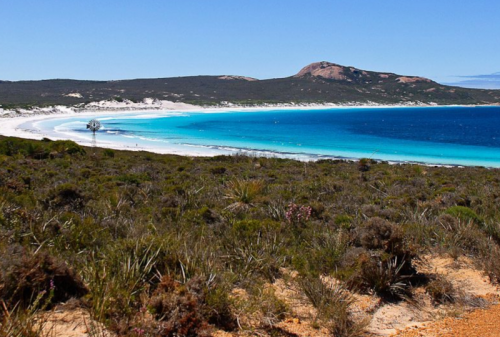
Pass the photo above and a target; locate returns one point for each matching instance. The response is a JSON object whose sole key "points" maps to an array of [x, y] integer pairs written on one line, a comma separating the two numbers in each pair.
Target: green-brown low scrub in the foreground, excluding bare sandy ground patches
{"points": [[163, 245]]}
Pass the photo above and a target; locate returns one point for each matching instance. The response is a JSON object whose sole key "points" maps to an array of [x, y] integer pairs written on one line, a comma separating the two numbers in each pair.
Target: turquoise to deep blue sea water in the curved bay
{"points": [[432, 135]]}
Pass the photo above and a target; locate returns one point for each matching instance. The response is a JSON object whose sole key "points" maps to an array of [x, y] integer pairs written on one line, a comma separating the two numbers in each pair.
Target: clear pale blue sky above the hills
{"points": [[111, 39]]}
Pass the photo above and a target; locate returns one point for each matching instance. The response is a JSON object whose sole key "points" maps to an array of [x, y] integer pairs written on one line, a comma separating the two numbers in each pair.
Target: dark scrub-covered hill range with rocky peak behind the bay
{"points": [[316, 83]]}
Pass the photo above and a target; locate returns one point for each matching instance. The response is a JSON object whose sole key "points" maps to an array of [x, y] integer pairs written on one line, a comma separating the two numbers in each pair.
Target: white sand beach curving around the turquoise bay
{"points": [[11, 126]]}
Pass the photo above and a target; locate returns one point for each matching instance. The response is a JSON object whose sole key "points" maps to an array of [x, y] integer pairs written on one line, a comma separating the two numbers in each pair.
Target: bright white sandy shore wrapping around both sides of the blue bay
{"points": [[25, 124]]}
